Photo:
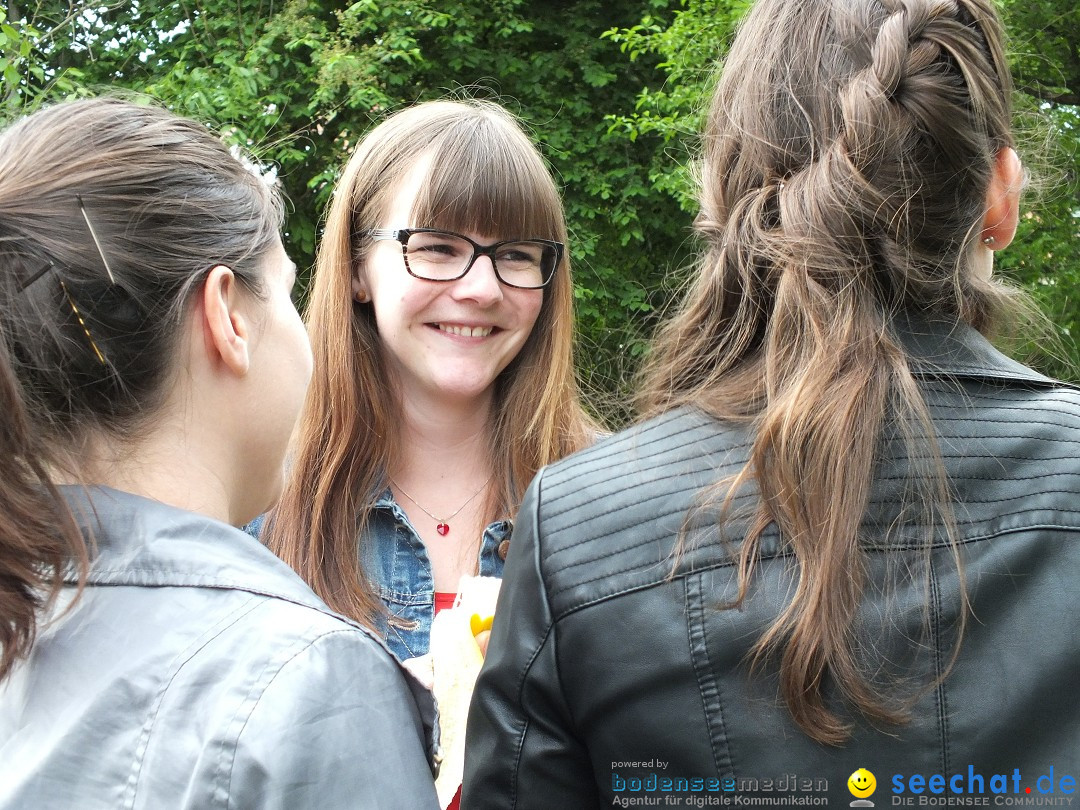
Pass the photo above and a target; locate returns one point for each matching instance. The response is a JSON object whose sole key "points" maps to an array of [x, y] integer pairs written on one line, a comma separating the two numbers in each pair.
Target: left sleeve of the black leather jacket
{"points": [[521, 750]]}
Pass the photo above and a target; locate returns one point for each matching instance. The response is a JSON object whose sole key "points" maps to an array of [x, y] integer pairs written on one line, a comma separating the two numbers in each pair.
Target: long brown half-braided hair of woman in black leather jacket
{"points": [[847, 158]]}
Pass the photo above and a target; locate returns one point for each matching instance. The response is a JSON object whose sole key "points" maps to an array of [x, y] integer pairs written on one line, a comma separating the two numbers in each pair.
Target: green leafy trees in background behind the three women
{"points": [[612, 90]]}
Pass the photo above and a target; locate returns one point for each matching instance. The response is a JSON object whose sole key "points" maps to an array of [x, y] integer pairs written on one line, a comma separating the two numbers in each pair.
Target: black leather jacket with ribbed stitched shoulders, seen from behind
{"points": [[605, 673]]}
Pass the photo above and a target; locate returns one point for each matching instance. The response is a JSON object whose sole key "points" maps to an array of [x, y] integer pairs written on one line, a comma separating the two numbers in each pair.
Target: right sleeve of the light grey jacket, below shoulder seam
{"points": [[326, 728]]}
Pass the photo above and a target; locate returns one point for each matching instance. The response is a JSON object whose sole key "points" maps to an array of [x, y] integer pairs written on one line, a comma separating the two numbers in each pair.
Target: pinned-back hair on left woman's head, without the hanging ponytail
{"points": [[126, 206]]}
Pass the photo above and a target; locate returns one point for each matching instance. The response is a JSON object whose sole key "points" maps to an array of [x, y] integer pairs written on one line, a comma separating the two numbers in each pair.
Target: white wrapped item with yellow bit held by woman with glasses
{"points": [[458, 644]]}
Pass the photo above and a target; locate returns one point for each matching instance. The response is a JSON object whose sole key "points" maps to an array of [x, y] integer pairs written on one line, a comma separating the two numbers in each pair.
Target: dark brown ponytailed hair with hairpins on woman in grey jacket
{"points": [[87, 348]]}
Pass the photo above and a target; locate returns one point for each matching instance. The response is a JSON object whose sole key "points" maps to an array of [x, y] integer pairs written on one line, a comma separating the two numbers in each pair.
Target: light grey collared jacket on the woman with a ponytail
{"points": [[198, 671]]}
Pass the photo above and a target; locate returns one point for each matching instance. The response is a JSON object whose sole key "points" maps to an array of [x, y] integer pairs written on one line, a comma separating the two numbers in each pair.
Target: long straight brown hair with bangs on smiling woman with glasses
{"points": [[485, 177]]}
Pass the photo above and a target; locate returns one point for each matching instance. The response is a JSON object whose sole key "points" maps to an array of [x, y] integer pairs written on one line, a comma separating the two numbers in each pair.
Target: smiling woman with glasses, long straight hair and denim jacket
{"points": [[442, 328]]}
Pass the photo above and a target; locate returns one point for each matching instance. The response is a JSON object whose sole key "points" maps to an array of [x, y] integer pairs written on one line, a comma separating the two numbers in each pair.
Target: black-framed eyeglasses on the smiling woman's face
{"points": [[436, 255]]}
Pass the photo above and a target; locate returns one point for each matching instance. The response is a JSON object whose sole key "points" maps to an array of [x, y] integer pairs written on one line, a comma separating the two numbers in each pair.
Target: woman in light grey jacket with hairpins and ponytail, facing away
{"points": [[153, 368]]}
